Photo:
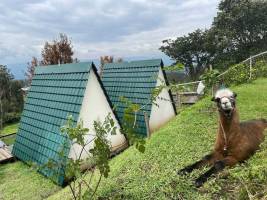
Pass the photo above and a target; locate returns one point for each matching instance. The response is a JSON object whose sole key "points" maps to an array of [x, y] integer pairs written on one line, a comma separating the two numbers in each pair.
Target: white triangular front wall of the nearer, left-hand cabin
{"points": [[96, 107]]}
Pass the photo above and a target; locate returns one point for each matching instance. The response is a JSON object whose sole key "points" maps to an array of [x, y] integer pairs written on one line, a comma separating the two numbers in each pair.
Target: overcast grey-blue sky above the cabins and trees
{"points": [[125, 28]]}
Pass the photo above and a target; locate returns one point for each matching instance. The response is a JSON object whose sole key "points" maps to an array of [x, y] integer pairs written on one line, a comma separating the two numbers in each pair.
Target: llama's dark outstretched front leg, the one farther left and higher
{"points": [[206, 160]]}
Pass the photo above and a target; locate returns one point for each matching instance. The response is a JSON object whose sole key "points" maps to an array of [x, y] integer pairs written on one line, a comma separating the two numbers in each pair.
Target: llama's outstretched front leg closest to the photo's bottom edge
{"points": [[218, 166]]}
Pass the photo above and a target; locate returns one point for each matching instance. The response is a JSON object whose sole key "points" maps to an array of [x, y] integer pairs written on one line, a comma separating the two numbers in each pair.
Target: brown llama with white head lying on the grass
{"points": [[235, 141]]}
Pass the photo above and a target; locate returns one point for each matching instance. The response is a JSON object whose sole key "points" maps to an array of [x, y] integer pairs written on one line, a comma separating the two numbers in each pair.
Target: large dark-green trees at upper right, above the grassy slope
{"points": [[238, 31]]}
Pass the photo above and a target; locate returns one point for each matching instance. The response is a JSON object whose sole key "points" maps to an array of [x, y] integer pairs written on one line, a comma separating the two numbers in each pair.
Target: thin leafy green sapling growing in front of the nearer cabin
{"points": [[96, 158]]}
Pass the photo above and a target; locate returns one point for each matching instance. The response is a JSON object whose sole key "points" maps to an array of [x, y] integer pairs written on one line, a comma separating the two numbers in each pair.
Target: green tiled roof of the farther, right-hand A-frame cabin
{"points": [[135, 81]]}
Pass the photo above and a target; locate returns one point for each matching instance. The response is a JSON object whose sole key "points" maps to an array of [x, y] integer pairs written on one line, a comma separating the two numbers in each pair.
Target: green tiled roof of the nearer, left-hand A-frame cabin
{"points": [[55, 93]]}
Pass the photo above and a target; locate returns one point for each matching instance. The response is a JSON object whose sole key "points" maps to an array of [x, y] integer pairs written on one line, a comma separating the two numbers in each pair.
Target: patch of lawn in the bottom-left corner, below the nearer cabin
{"points": [[18, 181]]}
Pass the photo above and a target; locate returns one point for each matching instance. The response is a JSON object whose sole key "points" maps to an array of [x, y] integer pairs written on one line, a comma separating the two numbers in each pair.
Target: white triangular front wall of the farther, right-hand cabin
{"points": [[162, 113]]}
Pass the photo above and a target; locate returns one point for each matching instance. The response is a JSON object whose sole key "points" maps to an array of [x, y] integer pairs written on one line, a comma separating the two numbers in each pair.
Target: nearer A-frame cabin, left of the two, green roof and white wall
{"points": [[55, 93]]}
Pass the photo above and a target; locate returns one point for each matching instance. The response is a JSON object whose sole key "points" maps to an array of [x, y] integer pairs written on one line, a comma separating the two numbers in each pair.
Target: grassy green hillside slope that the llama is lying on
{"points": [[185, 139]]}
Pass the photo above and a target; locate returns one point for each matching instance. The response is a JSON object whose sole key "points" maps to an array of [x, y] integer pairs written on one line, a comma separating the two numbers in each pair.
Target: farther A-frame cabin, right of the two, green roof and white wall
{"points": [[136, 81]]}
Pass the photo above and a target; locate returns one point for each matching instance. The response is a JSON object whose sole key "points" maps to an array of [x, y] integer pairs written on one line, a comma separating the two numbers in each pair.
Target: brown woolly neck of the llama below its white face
{"points": [[229, 124]]}
